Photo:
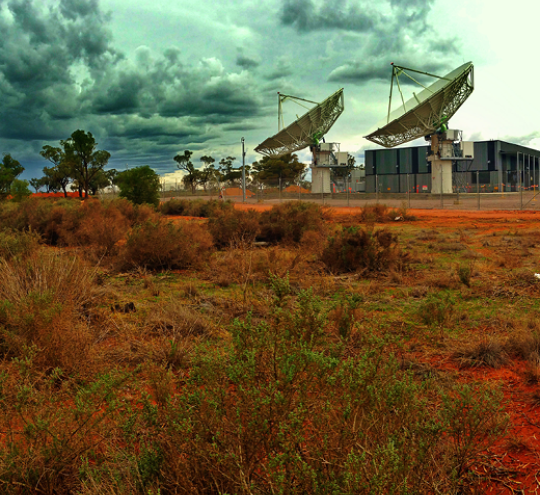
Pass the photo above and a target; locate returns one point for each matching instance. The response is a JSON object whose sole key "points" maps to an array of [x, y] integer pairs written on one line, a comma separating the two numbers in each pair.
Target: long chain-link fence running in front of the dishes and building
{"points": [[471, 191]]}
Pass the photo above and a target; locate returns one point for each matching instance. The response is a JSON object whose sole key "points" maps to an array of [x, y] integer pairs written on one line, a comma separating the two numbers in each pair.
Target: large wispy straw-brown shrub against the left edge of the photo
{"points": [[42, 301]]}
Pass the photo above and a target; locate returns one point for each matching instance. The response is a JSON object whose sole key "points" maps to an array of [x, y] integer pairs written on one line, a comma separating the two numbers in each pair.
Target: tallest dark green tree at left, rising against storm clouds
{"points": [[83, 158]]}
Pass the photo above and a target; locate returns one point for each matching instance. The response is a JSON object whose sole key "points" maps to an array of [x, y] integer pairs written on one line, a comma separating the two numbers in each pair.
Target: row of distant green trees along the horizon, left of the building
{"points": [[77, 163]]}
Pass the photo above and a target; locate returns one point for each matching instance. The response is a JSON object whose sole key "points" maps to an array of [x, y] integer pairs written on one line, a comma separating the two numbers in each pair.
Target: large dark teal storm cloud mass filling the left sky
{"points": [[59, 71]]}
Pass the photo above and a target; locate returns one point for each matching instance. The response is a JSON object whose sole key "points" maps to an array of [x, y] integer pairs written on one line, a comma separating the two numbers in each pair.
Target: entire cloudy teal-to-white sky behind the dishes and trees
{"points": [[151, 79]]}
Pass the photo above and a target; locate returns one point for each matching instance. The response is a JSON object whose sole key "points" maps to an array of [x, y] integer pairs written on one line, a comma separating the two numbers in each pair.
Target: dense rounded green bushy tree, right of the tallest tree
{"points": [[139, 185]]}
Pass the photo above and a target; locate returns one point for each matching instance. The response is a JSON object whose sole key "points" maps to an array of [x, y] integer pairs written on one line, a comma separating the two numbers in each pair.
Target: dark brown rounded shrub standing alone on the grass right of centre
{"points": [[367, 251]]}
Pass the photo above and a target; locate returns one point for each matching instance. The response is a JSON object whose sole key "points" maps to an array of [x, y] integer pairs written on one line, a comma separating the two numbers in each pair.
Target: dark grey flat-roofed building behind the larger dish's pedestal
{"points": [[496, 166]]}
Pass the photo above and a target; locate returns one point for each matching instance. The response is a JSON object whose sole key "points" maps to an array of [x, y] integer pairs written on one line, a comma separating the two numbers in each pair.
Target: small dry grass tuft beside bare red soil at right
{"points": [[488, 351]]}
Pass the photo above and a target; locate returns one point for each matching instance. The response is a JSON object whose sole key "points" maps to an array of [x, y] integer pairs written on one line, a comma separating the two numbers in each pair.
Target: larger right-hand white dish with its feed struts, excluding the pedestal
{"points": [[428, 110]]}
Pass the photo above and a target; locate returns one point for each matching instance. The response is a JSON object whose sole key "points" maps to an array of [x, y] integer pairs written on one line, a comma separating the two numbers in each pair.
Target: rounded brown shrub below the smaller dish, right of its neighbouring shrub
{"points": [[288, 222]]}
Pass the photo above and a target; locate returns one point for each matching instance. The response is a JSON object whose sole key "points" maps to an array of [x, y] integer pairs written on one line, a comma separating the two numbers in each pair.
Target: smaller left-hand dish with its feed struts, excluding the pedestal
{"points": [[307, 130]]}
